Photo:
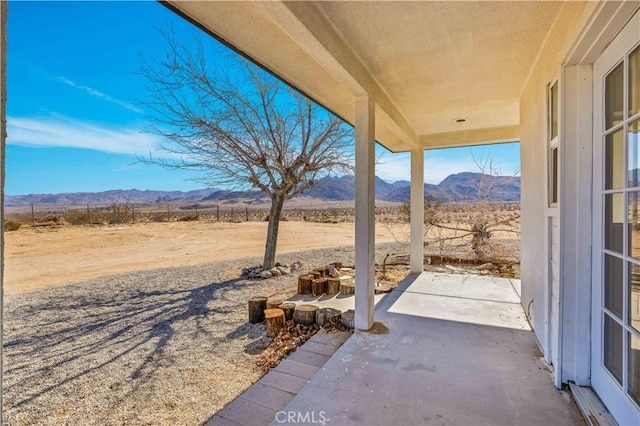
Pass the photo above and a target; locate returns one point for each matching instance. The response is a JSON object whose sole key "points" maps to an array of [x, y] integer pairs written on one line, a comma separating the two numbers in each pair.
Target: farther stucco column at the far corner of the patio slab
{"points": [[417, 211]]}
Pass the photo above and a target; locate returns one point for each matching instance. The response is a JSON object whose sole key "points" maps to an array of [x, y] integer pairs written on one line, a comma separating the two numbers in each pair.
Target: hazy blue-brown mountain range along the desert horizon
{"points": [[455, 188]]}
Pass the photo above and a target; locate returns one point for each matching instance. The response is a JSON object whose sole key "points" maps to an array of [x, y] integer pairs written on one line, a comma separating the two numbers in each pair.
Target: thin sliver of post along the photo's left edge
{"points": [[3, 136]]}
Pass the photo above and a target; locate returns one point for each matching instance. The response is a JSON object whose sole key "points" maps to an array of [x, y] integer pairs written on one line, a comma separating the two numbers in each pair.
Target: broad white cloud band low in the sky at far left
{"points": [[61, 131]]}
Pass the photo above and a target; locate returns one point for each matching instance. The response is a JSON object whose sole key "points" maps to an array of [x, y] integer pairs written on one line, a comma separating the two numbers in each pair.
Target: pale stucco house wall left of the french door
{"points": [[534, 204]]}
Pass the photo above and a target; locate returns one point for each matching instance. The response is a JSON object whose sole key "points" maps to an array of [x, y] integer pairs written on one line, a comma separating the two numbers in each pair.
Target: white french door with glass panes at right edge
{"points": [[615, 368]]}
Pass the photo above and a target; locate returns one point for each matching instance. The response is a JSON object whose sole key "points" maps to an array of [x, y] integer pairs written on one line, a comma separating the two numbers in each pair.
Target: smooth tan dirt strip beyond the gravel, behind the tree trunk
{"points": [[35, 259]]}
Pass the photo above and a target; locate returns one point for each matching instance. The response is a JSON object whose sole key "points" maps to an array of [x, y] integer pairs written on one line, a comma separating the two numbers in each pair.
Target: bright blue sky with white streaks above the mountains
{"points": [[72, 117]]}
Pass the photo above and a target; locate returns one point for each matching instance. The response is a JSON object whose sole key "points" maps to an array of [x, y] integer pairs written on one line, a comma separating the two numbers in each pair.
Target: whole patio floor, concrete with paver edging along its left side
{"points": [[445, 349]]}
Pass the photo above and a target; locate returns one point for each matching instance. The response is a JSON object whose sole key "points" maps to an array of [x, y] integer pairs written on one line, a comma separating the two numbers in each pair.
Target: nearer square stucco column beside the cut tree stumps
{"points": [[365, 213]]}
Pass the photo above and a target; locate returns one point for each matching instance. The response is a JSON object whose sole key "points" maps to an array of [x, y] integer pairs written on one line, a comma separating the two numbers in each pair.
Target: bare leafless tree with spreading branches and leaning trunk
{"points": [[241, 126]]}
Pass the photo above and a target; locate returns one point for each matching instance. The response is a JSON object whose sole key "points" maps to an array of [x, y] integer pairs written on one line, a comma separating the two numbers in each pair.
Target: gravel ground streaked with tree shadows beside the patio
{"points": [[168, 346]]}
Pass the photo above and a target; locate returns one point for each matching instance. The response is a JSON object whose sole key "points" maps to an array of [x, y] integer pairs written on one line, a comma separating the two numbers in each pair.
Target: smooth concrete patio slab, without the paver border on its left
{"points": [[418, 369]]}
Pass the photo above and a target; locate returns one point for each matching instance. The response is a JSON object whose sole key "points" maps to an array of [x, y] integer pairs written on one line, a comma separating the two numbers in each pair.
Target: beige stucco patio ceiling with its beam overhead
{"points": [[427, 64]]}
